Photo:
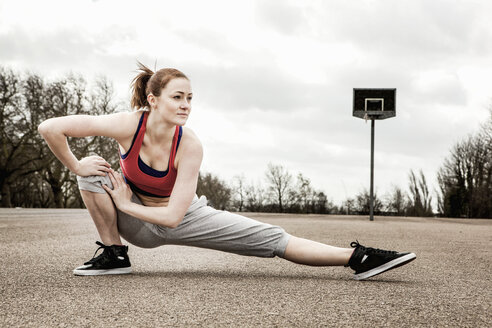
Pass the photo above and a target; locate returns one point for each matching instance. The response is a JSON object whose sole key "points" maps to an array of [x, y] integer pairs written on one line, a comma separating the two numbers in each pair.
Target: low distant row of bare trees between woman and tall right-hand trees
{"points": [[281, 193]]}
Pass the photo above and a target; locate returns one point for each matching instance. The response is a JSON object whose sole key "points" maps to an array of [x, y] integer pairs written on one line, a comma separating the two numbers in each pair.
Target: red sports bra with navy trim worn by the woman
{"points": [[142, 178]]}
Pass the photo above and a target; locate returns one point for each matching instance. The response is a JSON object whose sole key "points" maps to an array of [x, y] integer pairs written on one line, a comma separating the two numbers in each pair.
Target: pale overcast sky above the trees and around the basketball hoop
{"points": [[273, 80]]}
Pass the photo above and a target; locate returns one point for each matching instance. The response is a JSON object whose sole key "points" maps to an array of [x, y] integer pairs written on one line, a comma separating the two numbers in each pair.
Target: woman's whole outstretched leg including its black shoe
{"points": [[204, 226]]}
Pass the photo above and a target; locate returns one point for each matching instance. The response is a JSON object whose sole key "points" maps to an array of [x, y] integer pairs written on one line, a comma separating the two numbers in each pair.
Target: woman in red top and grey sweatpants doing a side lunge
{"points": [[154, 202]]}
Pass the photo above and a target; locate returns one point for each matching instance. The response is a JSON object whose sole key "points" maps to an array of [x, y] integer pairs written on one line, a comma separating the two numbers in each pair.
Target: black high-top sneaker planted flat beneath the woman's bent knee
{"points": [[113, 260]]}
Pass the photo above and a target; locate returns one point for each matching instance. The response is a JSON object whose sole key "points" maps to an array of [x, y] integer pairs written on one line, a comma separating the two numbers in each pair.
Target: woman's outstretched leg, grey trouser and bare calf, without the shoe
{"points": [[204, 226]]}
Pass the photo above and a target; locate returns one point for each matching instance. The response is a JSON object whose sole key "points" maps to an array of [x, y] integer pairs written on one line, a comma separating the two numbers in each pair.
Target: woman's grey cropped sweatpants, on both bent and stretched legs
{"points": [[202, 226]]}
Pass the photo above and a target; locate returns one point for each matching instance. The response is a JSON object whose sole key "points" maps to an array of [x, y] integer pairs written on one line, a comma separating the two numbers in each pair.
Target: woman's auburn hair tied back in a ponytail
{"points": [[147, 82]]}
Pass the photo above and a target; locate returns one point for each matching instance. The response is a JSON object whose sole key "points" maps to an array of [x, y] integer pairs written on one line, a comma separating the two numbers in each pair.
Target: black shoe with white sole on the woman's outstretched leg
{"points": [[368, 262]]}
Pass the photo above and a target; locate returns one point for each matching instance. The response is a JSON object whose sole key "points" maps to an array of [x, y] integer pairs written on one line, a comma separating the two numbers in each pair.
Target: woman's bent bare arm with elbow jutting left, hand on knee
{"points": [[56, 130]]}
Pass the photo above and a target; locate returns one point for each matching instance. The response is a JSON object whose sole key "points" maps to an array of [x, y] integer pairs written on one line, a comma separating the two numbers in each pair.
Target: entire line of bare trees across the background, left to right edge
{"points": [[30, 175]]}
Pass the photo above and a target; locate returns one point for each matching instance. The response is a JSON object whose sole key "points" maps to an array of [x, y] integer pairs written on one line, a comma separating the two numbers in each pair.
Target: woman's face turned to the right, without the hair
{"points": [[174, 103]]}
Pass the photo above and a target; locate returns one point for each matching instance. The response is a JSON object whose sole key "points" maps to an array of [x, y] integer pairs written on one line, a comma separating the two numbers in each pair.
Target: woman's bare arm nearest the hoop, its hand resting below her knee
{"points": [[183, 192]]}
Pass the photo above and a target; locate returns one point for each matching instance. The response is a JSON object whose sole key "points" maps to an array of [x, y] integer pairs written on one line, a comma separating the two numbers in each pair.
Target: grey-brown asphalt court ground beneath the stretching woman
{"points": [[449, 285]]}
